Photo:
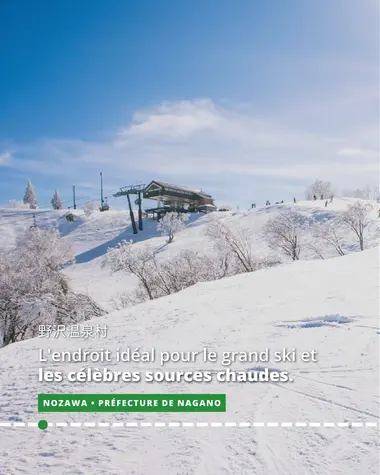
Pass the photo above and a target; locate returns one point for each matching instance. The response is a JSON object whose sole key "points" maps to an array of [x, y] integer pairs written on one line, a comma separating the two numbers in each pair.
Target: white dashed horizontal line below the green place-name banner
{"points": [[194, 424]]}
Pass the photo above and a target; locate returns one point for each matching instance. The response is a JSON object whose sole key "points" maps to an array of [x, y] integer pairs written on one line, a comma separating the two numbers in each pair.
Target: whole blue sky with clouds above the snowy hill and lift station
{"points": [[249, 100]]}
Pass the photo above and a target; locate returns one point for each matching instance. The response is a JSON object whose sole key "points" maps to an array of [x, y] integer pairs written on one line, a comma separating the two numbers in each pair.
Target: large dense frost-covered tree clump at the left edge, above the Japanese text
{"points": [[34, 291]]}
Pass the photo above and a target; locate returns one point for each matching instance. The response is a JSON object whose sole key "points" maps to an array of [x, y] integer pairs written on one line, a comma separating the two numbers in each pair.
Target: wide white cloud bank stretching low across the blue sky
{"points": [[192, 141]]}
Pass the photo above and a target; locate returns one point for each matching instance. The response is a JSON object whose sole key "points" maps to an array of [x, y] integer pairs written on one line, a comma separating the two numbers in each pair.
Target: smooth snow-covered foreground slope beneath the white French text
{"points": [[330, 306]]}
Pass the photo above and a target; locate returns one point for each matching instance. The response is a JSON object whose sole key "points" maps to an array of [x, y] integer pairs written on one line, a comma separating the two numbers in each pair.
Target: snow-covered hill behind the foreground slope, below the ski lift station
{"points": [[92, 236]]}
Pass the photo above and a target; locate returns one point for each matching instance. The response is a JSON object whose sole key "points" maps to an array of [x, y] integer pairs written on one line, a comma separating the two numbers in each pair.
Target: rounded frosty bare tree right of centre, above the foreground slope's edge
{"points": [[283, 232]]}
